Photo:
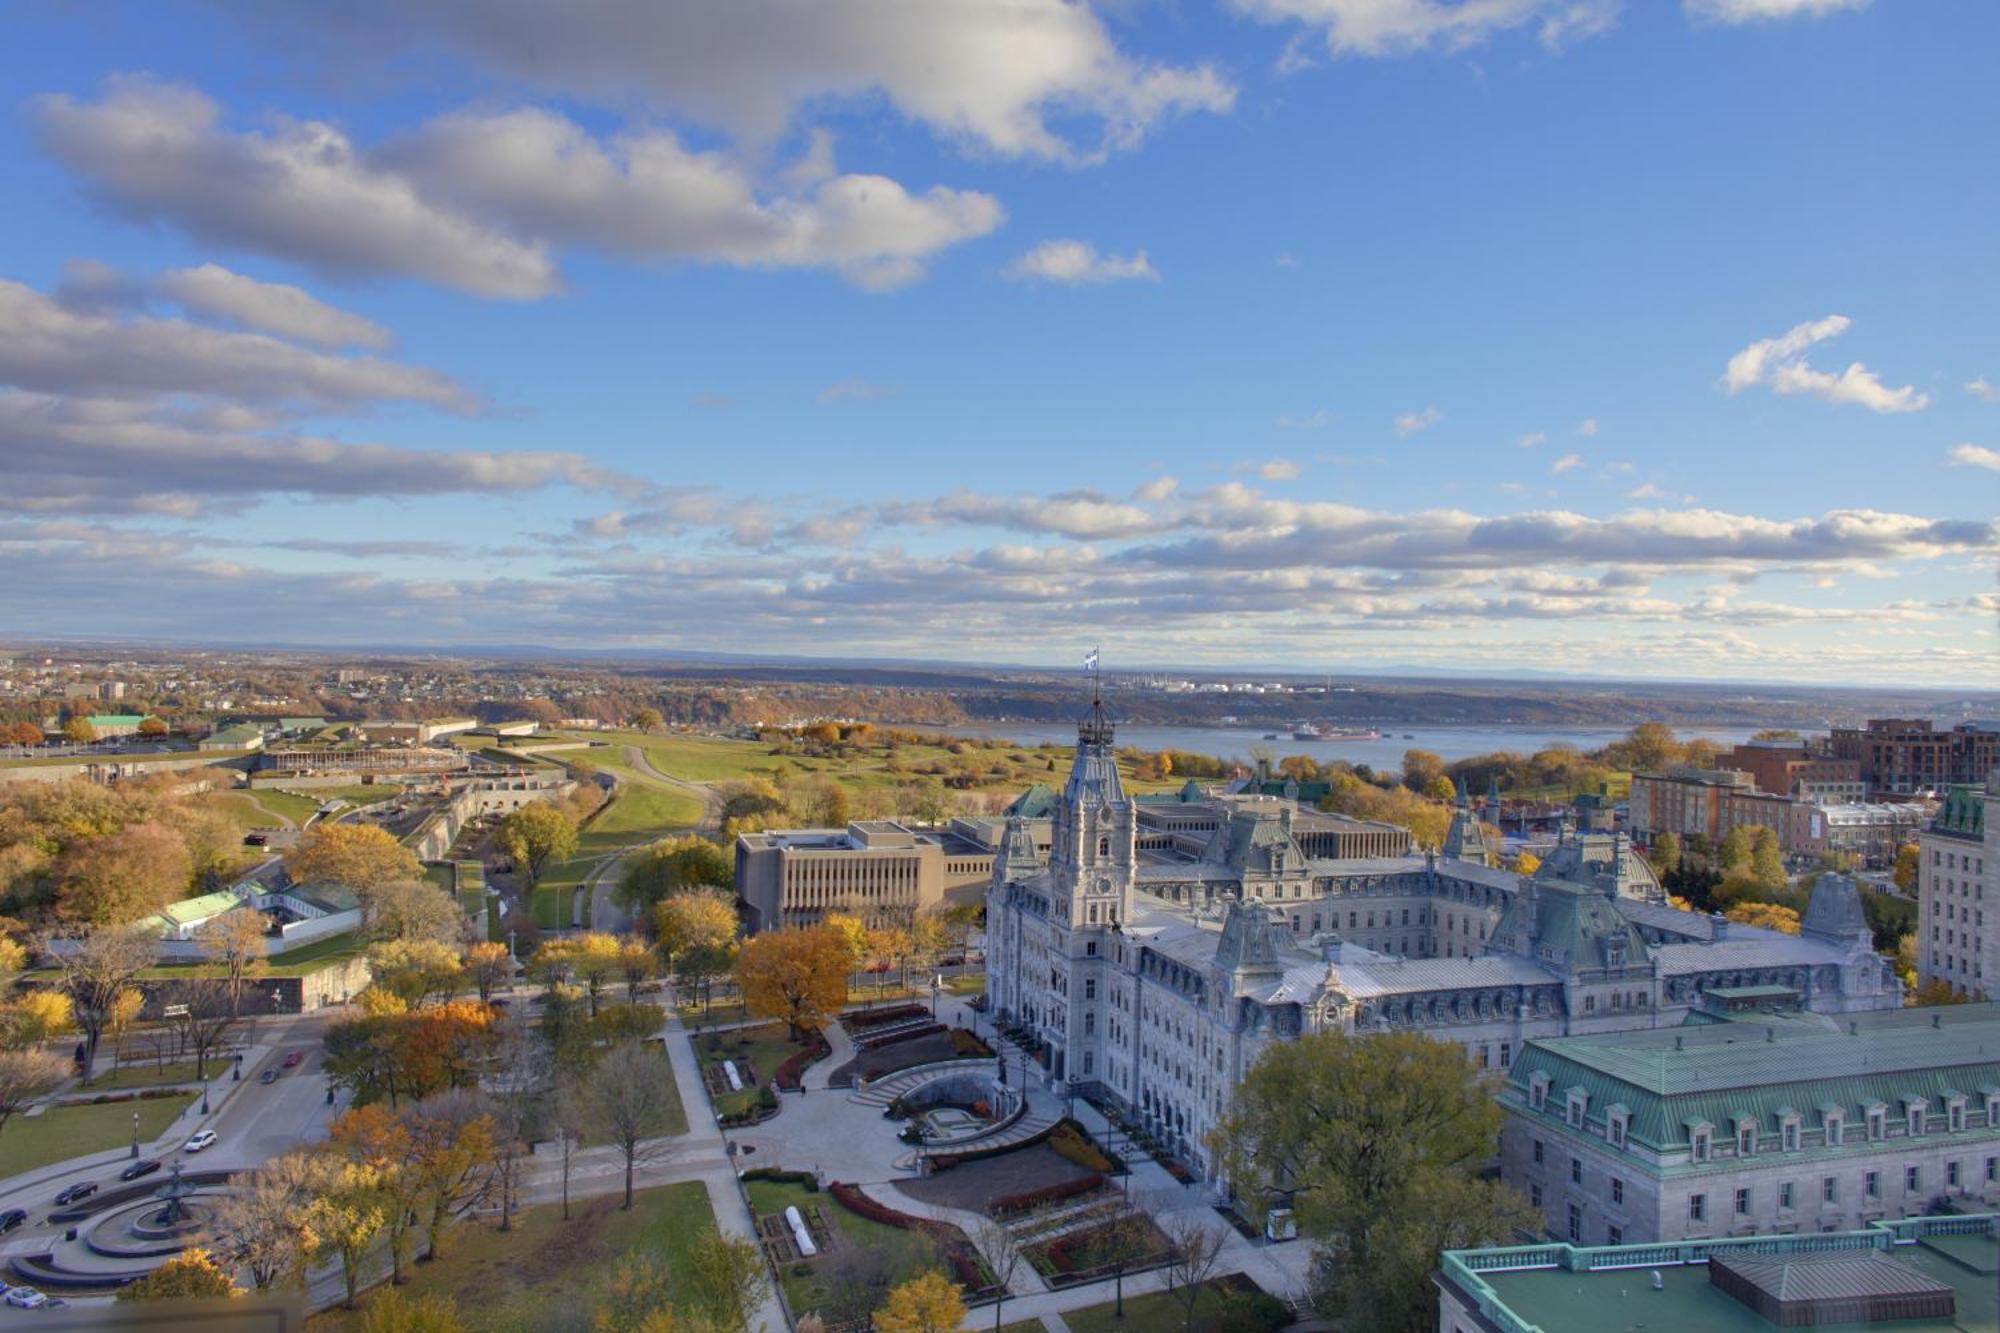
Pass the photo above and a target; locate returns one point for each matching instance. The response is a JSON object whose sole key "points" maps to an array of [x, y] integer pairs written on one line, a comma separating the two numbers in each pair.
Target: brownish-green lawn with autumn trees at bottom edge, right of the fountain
{"points": [[549, 1272]]}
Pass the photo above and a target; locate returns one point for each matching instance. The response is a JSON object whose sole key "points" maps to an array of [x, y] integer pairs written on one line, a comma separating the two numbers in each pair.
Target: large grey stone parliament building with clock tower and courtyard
{"points": [[1153, 980]]}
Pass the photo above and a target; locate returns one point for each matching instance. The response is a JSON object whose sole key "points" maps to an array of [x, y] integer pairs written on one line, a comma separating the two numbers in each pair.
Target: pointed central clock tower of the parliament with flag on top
{"points": [[1095, 836]]}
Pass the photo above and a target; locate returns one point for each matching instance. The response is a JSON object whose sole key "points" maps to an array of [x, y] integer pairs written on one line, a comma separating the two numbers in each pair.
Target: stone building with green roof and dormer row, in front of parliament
{"points": [[1759, 1118]]}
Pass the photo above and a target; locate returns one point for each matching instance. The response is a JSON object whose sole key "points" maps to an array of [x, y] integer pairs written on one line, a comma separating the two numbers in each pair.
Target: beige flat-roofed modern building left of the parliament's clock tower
{"points": [[877, 870]]}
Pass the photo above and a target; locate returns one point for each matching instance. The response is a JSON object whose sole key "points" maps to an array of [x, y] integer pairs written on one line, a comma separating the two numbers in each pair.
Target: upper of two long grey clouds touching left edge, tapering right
{"points": [[55, 349]]}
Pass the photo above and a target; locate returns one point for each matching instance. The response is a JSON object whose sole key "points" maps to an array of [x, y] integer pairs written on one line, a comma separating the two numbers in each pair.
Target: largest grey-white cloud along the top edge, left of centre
{"points": [[1015, 77]]}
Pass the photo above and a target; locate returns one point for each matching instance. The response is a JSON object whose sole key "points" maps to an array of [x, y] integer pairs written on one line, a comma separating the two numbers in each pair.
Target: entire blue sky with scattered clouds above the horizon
{"points": [[1637, 339]]}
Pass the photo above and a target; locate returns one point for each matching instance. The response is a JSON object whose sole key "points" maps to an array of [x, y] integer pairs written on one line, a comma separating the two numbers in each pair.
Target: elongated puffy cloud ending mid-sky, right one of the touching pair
{"points": [[645, 195]]}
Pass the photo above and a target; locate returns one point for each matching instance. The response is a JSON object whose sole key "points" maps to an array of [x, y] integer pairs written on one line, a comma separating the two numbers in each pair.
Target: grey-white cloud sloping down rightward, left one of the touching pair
{"points": [[159, 153]]}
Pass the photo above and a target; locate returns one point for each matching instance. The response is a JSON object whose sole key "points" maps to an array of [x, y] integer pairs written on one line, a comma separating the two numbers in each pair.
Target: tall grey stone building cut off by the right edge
{"points": [[1959, 862]]}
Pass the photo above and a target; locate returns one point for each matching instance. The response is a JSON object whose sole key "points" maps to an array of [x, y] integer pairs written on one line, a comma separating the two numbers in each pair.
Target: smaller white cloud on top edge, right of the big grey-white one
{"points": [[1405, 27]]}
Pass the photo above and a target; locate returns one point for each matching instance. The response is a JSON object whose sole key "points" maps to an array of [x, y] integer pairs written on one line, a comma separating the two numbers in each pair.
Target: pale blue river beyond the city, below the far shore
{"points": [[1383, 756]]}
